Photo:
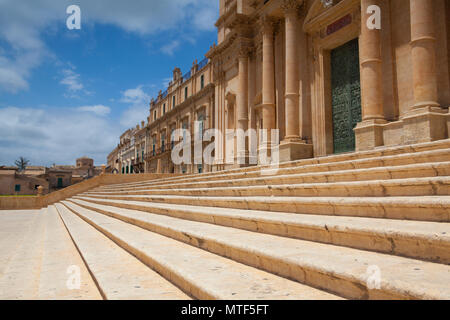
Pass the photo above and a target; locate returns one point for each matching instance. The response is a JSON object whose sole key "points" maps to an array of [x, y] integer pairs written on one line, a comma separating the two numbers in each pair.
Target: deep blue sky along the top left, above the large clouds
{"points": [[22, 22]]}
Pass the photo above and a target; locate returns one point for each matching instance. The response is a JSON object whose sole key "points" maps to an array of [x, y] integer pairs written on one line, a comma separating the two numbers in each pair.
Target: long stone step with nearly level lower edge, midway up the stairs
{"points": [[376, 188]]}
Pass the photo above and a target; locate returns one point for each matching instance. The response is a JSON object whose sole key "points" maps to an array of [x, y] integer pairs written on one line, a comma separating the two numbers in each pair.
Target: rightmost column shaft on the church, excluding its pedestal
{"points": [[423, 53]]}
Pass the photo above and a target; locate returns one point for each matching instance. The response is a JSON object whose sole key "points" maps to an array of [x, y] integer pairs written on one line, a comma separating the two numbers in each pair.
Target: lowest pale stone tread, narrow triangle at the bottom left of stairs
{"points": [[118, 274]]}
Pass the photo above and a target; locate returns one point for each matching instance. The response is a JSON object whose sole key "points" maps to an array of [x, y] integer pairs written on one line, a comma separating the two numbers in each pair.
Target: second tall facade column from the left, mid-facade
{"points": [[268, 82]]}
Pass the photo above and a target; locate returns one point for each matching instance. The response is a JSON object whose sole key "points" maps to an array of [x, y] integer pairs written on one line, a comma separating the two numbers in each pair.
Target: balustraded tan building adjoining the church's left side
{"points": [[188, 99]]}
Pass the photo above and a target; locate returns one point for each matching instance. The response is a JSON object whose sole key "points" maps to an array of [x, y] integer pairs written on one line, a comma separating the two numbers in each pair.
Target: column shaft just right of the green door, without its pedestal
{"points": [[371, 73]]}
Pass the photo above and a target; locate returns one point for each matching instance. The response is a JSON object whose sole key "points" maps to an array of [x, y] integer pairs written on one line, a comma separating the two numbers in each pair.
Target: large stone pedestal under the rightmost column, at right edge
{"points": [[425, 125]]}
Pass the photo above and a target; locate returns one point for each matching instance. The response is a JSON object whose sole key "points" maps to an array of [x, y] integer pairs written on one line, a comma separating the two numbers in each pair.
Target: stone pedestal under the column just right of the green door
{"points": [[369, 134]]}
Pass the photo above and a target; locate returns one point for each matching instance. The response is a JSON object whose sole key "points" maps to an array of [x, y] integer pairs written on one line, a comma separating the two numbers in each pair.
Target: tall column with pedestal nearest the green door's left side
{"points": [[292, 147]]}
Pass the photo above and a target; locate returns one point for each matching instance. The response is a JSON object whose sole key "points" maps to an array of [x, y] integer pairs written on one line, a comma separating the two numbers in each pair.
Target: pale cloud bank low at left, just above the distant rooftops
{"points": [[58, 135]]}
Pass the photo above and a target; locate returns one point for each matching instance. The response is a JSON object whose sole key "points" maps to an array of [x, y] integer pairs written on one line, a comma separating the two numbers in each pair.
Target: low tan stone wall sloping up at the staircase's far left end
{"points": [[26, 203]]}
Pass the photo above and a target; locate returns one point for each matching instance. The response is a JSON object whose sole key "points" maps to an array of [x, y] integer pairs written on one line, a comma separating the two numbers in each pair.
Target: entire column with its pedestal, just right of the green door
{"points": [[369, 133]]}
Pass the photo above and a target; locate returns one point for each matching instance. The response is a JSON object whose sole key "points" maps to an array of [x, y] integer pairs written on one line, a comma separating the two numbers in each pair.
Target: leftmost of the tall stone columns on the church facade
{"points": [[242, 108]]}
